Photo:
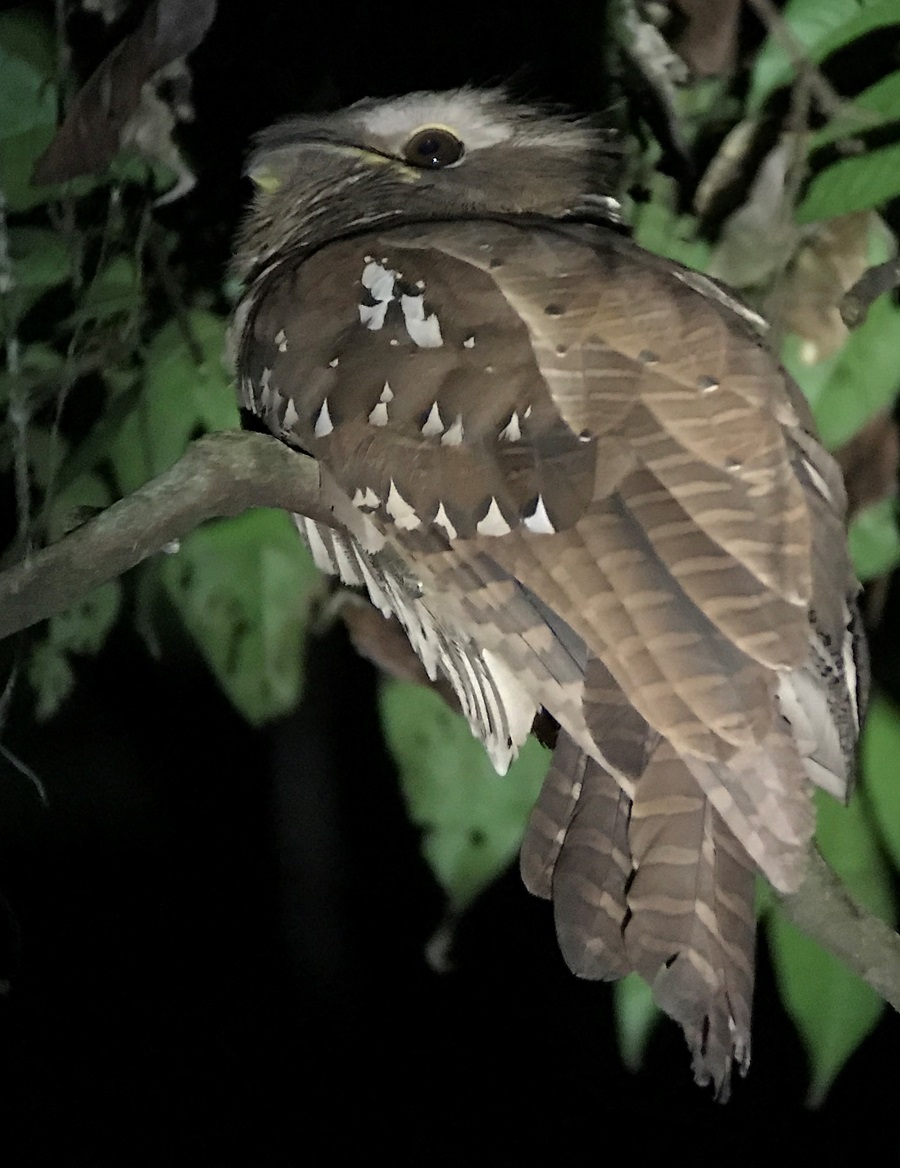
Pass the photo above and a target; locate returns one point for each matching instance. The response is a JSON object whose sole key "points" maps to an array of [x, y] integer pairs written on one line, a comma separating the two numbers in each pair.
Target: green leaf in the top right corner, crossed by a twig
{"points": [[821, 27]]}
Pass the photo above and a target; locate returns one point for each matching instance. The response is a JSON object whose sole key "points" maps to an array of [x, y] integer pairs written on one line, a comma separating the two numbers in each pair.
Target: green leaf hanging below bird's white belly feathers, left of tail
{"points": [[472, 819]]}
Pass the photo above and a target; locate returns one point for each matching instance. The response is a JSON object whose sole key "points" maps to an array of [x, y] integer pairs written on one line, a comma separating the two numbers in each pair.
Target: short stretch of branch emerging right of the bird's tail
{"points": [[825, 910]]}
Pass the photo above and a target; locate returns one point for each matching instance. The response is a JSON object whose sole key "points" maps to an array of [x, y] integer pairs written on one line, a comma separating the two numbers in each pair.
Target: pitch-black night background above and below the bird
{"points": [[214, 936]]}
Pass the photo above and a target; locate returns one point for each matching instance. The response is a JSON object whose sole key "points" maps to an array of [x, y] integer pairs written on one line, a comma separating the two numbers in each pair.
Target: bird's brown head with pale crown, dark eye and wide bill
{"points": [[422, 157]]}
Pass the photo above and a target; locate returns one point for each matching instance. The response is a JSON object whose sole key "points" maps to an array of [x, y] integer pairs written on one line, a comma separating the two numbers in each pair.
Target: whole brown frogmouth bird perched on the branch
{"points": [[577, 476]]}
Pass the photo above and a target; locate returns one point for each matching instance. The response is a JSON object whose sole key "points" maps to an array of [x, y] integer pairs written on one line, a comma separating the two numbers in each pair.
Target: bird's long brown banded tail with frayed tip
{"points": [[659, 886]]}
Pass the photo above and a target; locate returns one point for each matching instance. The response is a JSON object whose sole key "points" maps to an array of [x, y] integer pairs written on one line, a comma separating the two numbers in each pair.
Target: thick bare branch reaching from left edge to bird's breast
{"points": [[220, 475]]}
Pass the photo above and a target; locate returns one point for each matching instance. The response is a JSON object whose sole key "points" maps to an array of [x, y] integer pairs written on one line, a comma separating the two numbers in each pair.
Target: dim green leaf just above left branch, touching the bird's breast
{"points": [[180, 400]]}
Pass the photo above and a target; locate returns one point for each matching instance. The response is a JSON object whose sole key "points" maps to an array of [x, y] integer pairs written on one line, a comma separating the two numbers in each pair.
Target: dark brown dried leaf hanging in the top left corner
{"points": [[93, 131]]}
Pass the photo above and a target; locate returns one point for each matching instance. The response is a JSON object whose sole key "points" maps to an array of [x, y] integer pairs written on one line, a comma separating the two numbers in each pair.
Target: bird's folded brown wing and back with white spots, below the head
{"points": [[581, 453]]}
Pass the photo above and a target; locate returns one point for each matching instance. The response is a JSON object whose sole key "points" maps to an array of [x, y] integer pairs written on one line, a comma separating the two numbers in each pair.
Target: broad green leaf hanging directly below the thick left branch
{"points": [[243, 588]]}
